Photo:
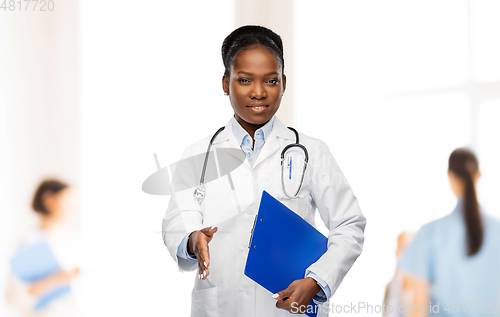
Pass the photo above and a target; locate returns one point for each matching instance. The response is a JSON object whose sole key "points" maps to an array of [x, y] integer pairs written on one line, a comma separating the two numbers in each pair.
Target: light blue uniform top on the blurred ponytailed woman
{"points": [[439, 254]]}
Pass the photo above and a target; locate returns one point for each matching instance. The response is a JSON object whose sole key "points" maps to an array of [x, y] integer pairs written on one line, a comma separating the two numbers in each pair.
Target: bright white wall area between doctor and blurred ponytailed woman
{"points": [[393, 87]]}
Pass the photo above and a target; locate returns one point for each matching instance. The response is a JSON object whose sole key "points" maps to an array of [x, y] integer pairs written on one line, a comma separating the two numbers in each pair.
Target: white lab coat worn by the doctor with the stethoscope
{"points": [[227, 291]]}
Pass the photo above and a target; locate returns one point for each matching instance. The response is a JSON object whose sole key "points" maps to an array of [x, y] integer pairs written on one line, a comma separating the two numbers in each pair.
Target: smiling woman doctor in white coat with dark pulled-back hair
{"points": [[212, 236]]}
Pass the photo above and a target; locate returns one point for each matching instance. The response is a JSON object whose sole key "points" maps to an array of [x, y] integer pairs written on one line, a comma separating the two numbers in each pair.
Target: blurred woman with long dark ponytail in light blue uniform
{"points": [[453, 261]]}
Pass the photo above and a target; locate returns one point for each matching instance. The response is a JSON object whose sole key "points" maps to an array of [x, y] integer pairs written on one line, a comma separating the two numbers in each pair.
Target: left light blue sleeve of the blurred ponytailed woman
{"points": [[417, 257]]}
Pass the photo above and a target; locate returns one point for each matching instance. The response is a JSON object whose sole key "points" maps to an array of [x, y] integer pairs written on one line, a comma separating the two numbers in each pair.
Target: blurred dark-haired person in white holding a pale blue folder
{"points": [[52, 203]]}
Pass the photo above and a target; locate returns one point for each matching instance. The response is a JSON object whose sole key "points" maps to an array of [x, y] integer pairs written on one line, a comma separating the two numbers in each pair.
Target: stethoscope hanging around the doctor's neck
{"points": [[199, 192]]}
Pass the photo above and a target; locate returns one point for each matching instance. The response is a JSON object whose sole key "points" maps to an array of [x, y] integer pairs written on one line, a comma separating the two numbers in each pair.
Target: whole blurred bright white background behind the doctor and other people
{"points": [[90, 90]]}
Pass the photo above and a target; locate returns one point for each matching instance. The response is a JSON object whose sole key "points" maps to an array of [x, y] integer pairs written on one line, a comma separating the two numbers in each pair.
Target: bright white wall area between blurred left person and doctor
{"points": [[151, 83]]}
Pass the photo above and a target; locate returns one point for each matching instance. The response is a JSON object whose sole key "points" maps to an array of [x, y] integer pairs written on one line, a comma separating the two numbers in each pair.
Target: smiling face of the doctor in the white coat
{"points": [[255, 86]]}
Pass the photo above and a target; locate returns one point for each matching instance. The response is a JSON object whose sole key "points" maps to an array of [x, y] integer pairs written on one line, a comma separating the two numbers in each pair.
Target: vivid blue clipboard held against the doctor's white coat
{"points": [[282, 247]]}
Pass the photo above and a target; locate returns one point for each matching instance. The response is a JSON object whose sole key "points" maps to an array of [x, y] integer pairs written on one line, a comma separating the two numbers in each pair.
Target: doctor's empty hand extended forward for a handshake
{"points": [[198, 245]]}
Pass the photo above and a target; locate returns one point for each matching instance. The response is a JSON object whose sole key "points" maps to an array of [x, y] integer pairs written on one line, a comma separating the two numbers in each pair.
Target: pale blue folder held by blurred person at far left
{"points": [[34, 262]]}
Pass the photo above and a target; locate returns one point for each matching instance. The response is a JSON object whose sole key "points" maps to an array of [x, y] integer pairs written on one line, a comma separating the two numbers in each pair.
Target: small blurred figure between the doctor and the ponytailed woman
{"points": [[396, 292]]}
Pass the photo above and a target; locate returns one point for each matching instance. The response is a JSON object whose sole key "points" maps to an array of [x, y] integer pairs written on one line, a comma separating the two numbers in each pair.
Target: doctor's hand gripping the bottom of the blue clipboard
{"points": [[299, 294]]}
